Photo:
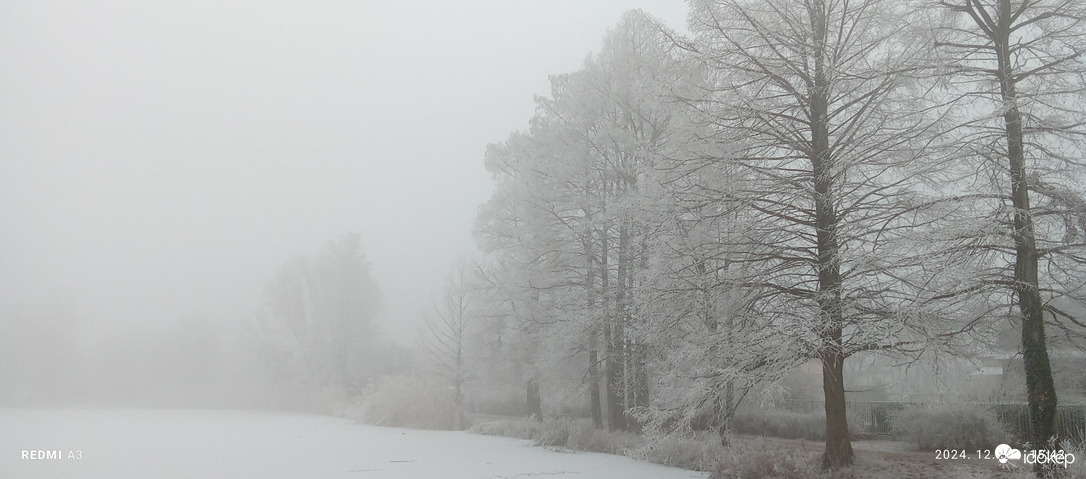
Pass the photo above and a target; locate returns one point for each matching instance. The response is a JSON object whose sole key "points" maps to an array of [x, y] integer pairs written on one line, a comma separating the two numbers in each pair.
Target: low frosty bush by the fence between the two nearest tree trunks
{"points": [[946, 426]]}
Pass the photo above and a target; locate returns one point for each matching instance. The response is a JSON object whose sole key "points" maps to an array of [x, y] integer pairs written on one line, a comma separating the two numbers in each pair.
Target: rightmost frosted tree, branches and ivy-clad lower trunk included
{"points": [[1019, 69]]}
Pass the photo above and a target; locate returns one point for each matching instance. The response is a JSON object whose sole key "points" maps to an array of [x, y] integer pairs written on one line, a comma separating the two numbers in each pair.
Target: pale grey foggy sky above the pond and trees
{"points": [[162, 160]]}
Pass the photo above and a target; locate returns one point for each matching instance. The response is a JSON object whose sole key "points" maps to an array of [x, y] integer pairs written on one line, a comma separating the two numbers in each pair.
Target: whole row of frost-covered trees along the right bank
{"points": [[691, 217]]}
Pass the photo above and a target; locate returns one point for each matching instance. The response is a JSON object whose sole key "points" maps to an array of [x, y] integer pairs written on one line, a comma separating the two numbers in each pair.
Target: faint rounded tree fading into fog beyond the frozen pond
{"points": [[318, 325]]}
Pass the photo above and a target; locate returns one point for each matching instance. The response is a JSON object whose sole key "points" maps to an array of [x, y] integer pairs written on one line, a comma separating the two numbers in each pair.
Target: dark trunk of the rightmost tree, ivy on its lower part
{"points": [[1041, 392]]}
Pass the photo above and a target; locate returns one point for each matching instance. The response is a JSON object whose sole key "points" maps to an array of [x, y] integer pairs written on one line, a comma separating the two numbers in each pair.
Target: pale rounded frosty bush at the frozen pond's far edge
{"points": [[406, 401]]}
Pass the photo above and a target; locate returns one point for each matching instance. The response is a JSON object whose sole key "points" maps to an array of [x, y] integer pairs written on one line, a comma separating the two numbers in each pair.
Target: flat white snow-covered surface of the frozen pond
{"points": [[163, 444]]}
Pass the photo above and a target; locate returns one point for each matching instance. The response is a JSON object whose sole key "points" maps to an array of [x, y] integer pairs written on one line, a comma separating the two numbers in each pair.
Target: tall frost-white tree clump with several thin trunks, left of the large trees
{"points": [[570, 188]]}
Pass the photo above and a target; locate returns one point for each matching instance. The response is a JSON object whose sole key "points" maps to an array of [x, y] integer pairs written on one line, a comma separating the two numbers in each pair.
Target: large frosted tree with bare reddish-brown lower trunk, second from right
{"points": [[816, 103]]}
